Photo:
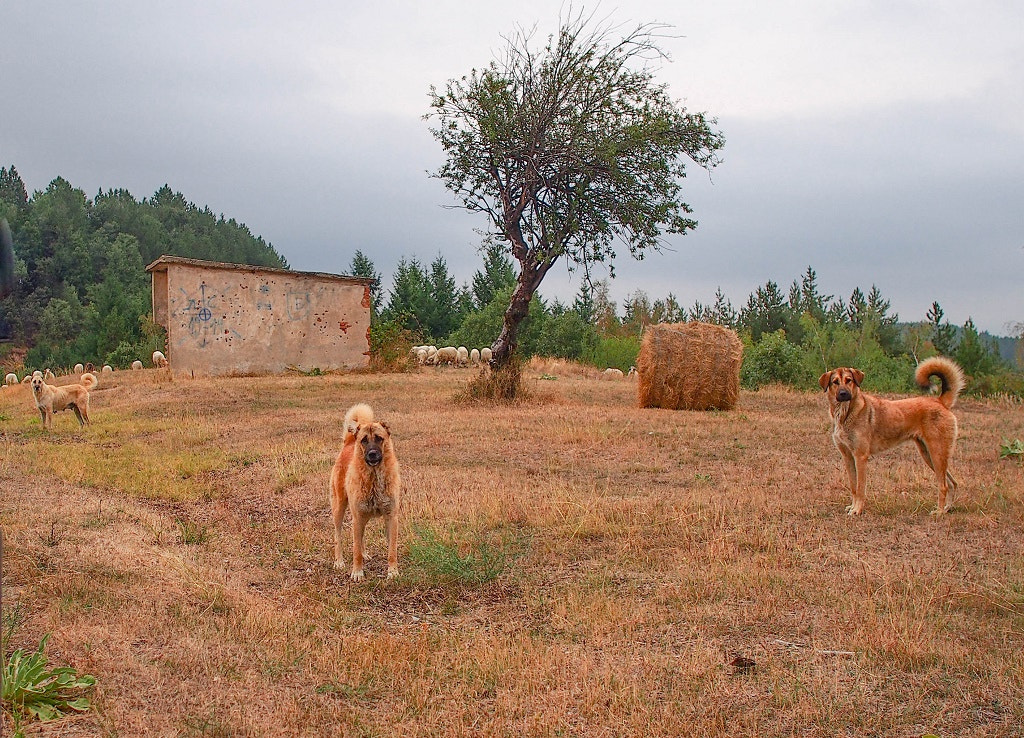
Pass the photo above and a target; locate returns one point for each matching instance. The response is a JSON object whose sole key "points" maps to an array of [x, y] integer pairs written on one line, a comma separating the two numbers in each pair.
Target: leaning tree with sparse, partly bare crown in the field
{"points": [[570, 151]]}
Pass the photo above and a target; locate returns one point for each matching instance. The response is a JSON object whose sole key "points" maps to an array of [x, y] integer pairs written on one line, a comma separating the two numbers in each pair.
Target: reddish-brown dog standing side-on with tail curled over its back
{"points": [[865, 425]]}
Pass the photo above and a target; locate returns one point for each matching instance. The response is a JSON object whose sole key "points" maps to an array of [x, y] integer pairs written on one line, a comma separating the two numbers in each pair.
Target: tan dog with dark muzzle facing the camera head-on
{"points": [[366, 482]]}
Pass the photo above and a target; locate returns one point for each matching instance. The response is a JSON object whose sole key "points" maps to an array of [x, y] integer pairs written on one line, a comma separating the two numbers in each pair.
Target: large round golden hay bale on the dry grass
{"points": [[690, 367]]}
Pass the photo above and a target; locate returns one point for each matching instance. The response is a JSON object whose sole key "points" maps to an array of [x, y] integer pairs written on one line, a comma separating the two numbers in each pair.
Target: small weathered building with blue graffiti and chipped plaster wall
{"points": [[233, 319]]}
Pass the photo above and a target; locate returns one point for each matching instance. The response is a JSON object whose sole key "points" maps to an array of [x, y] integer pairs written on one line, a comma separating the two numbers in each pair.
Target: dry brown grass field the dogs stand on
{"points": [[572, 566]]}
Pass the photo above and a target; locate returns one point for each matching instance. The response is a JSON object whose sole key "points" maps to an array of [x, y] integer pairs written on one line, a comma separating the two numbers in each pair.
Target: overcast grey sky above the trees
{"points": [[880, 143]]}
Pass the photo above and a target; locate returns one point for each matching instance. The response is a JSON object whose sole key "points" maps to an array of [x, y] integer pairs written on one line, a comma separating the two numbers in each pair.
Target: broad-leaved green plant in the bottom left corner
{"points": [[33, 690]]}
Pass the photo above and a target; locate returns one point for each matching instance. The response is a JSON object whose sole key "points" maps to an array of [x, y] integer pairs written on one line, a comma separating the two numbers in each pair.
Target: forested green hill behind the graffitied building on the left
{"points": [[82, 293]]}
